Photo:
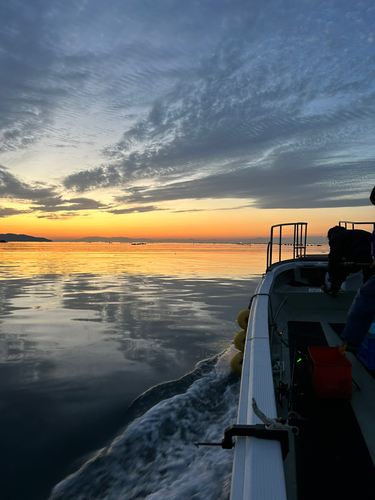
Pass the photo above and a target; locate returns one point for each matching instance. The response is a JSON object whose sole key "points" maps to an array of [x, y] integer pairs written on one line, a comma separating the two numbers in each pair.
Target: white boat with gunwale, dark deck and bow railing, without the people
{"points": [[333, 455]]}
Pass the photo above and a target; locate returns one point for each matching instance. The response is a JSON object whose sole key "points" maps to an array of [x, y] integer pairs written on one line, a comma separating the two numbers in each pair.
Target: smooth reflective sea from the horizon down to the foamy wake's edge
{"points": [[85, 329]]}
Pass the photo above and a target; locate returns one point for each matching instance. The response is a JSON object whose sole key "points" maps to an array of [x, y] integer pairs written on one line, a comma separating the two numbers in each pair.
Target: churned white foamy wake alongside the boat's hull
{"points": [[155, 458]]}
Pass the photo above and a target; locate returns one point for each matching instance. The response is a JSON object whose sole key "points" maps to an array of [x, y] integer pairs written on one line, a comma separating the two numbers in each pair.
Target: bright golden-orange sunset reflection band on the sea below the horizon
{"points": [[25, 259]]}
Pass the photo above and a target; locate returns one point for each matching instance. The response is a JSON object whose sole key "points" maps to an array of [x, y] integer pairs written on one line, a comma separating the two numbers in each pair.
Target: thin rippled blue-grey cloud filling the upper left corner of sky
{"points": [[60, 60]]}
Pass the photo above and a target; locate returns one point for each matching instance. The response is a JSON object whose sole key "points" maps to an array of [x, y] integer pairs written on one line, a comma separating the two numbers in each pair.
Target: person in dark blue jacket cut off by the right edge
{"points": [[362, 311]]}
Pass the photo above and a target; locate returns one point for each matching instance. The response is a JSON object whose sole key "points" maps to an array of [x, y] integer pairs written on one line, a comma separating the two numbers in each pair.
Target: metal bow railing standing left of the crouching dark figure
{"points": [[299, 241]]}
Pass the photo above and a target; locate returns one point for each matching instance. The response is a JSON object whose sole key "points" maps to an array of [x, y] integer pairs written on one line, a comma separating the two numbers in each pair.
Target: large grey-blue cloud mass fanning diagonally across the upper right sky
{"points": [[293, 102]]}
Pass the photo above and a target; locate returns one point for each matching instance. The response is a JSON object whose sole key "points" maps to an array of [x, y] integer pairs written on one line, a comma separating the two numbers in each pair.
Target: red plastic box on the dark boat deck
{"points": [[331, 373]]}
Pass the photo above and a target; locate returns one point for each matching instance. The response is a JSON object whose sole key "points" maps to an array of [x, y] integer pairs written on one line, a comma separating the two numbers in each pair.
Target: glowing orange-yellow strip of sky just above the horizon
{"points": [[242, 224]]}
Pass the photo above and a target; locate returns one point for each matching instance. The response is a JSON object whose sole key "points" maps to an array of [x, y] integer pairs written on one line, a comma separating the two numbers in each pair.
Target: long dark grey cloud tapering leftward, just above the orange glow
{"points": [[281, 182]]}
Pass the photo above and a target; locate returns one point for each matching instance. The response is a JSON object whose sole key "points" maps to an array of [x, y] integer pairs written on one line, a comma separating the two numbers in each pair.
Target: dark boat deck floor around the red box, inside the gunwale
{"points": [[335, 449]]}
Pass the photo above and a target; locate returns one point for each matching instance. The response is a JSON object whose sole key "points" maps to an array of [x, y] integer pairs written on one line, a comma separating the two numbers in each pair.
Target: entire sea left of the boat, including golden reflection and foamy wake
{"points": [[114, 360]]}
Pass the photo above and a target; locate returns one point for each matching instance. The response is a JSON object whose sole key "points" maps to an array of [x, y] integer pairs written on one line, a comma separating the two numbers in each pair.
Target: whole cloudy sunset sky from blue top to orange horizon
{"points": [[185, 119]]}
